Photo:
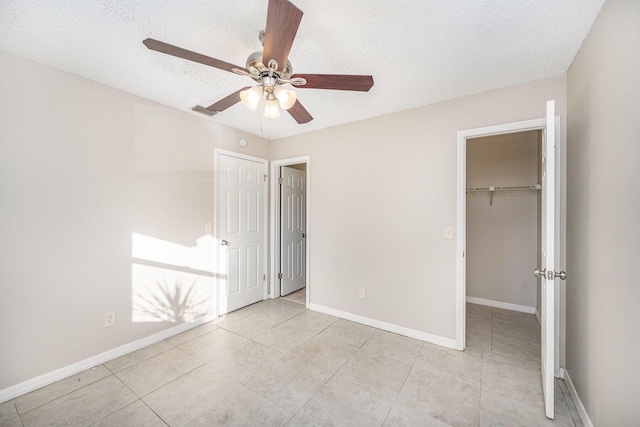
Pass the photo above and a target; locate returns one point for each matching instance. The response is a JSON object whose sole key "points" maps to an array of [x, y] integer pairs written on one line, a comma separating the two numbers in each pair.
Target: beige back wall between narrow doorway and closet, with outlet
{"points": [[382, 190]]}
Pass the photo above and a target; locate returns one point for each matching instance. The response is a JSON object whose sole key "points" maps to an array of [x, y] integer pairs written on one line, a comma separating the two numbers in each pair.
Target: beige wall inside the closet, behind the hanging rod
{"points": [[502, 237]]}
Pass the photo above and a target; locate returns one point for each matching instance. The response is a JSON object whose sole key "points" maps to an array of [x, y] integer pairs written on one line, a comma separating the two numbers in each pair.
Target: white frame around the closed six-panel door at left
{"points": [[216, 216]]}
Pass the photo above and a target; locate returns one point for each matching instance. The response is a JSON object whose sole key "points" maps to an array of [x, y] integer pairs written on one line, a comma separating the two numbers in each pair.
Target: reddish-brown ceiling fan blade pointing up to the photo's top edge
{"points": [[283, 19]]}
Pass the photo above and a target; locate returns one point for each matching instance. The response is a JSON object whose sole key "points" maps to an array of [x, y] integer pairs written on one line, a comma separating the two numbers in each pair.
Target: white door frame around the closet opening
{"points": [[461, 219]]}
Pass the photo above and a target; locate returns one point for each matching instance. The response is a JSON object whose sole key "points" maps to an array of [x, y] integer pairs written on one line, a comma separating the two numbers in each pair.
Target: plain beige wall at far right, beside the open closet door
{"points": [[603, 211]]}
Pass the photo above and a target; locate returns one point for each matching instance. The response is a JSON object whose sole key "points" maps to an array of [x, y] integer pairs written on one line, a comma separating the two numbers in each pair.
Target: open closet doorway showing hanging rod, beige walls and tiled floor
{"points": [[503, 243]]}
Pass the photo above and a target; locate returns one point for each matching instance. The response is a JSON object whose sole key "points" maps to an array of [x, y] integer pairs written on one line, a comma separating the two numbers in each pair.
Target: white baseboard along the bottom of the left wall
{"points": [[66, 371]]}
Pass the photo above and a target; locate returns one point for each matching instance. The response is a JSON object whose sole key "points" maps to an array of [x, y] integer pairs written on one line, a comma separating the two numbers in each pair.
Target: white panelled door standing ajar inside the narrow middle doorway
{"points": [[292, 227]]}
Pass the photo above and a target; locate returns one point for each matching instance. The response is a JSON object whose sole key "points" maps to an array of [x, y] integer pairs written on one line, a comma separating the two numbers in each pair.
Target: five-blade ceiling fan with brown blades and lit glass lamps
{"points": [[271, 69]]}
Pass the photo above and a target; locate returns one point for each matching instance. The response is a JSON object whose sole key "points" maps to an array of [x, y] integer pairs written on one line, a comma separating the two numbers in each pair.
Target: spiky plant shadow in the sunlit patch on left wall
{"points": [[175, 302]]}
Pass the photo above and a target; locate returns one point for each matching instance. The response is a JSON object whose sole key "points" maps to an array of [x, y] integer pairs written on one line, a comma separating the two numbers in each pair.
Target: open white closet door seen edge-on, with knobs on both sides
{"points": [[547, 271]]}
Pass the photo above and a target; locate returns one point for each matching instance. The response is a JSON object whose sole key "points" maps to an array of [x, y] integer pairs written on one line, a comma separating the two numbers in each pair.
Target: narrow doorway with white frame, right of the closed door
{"points": [[290, 201]]}
